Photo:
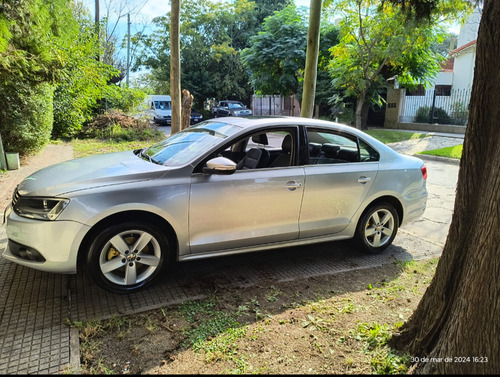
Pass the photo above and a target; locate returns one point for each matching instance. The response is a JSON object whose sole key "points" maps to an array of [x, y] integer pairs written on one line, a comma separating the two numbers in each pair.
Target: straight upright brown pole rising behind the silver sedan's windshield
{"points": [[175, 66]]}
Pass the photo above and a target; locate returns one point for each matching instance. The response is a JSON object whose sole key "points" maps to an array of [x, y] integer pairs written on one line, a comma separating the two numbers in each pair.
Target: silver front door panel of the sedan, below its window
{"points": [[247, 208]]}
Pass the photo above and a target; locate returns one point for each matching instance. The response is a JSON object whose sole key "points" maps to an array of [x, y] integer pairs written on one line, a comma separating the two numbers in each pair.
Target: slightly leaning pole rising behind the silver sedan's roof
{"points": [[311, 60]]}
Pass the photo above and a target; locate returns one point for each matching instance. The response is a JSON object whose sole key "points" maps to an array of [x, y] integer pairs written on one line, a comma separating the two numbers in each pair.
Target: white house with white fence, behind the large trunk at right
{"points": [[447, 102]]}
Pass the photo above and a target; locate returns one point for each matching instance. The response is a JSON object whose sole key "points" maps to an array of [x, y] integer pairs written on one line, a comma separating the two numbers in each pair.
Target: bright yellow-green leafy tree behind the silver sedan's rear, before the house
{"points": [[379, 41]]}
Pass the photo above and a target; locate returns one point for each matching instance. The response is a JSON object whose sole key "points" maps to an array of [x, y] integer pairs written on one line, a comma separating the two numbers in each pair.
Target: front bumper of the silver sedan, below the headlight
{"points": [[50, 246]]}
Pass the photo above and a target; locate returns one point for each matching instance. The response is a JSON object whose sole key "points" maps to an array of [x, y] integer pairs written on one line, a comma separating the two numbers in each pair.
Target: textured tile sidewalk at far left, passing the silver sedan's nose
{"points": [[34, 338]]}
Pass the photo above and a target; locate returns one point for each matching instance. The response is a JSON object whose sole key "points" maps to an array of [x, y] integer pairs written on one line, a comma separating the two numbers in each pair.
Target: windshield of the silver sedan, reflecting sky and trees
{"points": [[184, 146]]}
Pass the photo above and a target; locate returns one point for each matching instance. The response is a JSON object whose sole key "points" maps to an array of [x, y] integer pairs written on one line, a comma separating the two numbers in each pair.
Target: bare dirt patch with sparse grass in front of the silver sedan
{"points": [[335, 324]]}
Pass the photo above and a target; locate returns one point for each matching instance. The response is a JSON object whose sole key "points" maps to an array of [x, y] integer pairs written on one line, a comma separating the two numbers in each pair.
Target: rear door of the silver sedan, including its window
{"points": [[339, 175]]}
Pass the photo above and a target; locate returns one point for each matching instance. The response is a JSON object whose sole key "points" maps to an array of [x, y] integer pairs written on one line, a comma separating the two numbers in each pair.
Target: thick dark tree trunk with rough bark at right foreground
{"points": [[457, 322]]}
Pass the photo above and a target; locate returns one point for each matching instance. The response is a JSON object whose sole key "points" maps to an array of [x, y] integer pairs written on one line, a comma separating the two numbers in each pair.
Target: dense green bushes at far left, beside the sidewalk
{"points": [[50, 78]]}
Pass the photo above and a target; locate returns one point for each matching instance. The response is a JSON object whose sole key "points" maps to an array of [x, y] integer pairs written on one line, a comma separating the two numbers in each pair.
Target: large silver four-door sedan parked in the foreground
{"points": [[224, 186]]}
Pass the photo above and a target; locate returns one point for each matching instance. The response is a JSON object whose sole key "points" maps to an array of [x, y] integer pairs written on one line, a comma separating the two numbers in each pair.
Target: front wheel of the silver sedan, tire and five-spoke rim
{"points": [[127, 257]]}
